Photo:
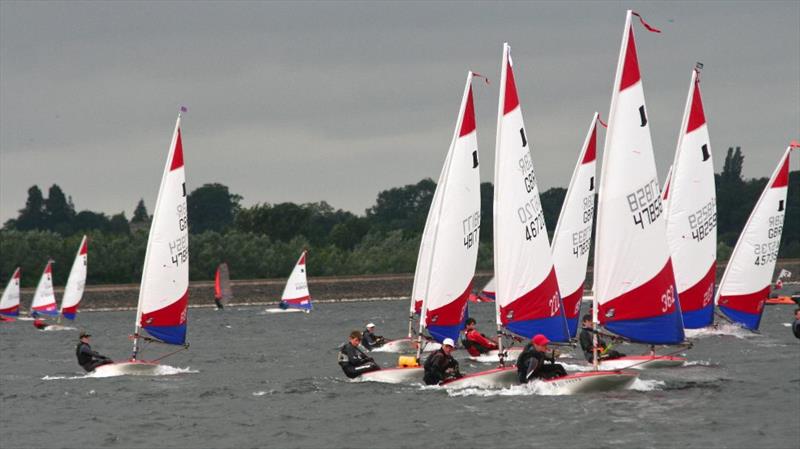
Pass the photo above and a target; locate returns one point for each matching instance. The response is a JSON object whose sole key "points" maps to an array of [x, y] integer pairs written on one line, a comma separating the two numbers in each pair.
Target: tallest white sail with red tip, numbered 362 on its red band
{"points": [[633, 279]]}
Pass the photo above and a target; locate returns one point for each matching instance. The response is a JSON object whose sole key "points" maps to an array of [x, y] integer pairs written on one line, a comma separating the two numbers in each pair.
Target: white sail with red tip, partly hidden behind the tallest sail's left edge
{"points": [[573, 235]]}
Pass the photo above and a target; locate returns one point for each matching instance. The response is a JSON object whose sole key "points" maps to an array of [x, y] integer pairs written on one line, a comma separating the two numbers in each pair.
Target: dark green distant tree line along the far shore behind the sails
{"points": [[264, 240]]}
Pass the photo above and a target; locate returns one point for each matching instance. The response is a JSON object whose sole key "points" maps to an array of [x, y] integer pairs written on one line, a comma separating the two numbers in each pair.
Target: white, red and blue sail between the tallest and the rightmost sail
{"points": [[692, 214]]}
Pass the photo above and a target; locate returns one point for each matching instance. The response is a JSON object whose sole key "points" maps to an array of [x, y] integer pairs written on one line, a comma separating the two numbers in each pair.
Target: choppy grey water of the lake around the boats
{"points": [[252, 380]]}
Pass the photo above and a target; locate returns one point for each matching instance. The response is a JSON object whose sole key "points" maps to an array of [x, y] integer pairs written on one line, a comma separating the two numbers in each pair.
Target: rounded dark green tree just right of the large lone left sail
{"points": [[211, 207]]}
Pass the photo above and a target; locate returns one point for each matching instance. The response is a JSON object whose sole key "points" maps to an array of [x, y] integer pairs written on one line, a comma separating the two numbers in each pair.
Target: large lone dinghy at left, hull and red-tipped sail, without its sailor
{"points": [[164, 291]]}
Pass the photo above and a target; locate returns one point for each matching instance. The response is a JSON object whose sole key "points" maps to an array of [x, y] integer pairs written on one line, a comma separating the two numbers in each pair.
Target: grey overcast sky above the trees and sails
{"points": [[336, 101]]}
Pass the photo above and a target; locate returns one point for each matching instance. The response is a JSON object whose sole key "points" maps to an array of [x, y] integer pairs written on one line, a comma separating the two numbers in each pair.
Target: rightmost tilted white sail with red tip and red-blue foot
{"points": [[745, 285]]}
